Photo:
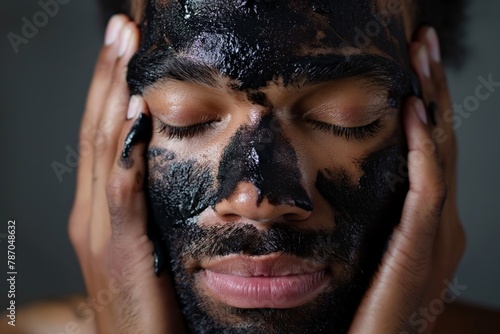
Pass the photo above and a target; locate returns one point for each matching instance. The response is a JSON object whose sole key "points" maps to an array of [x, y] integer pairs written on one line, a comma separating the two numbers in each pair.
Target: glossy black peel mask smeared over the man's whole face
{"points": [[254, 43]]}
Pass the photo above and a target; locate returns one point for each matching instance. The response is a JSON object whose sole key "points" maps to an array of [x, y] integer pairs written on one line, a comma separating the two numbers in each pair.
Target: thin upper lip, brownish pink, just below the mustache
{"points": [[272, 265]]}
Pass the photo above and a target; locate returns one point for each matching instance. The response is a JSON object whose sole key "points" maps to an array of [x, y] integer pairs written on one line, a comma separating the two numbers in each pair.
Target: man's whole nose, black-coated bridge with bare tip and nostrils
{"points": [[259, 177]]}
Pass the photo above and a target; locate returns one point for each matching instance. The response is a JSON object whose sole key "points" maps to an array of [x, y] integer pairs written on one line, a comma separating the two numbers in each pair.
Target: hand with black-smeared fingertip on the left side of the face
{"points": [[108, 223]]}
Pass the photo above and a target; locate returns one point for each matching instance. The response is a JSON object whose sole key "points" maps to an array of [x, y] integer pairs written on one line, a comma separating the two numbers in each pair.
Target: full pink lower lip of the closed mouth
{"points": [[263, 291]]}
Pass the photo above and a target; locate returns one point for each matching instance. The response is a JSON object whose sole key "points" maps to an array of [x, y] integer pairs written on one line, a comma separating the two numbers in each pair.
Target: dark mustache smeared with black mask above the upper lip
{"points": [[245, 239]]}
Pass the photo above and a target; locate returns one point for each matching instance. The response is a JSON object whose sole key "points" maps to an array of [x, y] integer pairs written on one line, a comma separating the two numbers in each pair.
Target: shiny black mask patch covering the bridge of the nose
{"points": [[262, 156]]}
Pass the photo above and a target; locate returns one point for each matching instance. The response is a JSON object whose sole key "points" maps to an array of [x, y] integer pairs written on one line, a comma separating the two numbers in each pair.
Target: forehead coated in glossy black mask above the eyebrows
{"points": [[255, 41]]}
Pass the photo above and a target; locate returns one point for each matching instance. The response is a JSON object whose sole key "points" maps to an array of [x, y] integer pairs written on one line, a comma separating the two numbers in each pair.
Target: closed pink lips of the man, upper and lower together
{"points": [[270, 281]]}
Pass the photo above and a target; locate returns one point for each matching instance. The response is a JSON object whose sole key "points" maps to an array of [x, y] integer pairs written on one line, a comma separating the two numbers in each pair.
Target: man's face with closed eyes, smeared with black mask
{"points": [[271, 168]]}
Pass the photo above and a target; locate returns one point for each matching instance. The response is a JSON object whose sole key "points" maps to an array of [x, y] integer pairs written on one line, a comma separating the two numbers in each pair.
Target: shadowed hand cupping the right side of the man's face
{"points": [[427, 245]]}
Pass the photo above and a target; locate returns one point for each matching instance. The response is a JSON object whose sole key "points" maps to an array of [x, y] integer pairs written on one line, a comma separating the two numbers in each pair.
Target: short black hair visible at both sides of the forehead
{"points": [[446, 16]]}
